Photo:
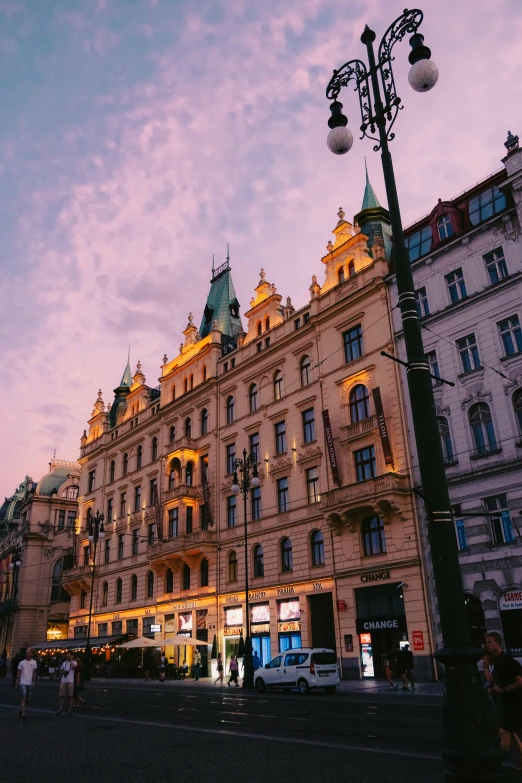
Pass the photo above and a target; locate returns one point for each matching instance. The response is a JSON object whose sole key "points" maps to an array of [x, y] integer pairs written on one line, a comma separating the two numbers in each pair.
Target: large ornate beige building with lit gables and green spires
{"points": [[333, 543]]}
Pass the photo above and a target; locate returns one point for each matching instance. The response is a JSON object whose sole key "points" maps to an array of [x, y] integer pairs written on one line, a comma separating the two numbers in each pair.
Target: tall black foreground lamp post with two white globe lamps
{"points": [[472, 751]]}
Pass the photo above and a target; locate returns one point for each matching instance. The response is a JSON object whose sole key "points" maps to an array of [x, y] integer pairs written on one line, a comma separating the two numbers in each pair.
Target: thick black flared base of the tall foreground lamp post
{"points": [[473, 753]]}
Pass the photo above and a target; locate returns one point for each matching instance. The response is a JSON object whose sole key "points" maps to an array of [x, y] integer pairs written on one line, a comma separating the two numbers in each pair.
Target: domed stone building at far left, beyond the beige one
{"points": [[34, 557]]}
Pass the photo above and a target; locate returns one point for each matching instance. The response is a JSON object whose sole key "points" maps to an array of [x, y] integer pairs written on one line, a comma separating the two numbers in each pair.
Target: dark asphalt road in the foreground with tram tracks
{"points": [[133, 732]]}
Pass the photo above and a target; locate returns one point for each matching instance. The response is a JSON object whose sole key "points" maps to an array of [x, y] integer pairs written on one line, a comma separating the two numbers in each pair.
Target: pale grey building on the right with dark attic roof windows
{"points": [[467, 266]]}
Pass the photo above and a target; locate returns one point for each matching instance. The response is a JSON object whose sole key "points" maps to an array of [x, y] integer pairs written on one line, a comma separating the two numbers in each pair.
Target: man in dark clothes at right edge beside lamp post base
{"points": [[505, 681]]}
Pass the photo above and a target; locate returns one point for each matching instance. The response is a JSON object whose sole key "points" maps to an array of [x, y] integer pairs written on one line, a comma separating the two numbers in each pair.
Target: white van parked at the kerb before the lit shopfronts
{"points": [[305, 668]]}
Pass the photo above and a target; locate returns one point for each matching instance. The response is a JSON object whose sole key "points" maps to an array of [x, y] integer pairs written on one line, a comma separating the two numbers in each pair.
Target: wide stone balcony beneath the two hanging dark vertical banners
{"points": [[385, 496]]}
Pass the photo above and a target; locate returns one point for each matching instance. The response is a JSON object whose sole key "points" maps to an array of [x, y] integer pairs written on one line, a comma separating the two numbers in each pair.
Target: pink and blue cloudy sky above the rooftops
{"points": [[137, 137]]}
